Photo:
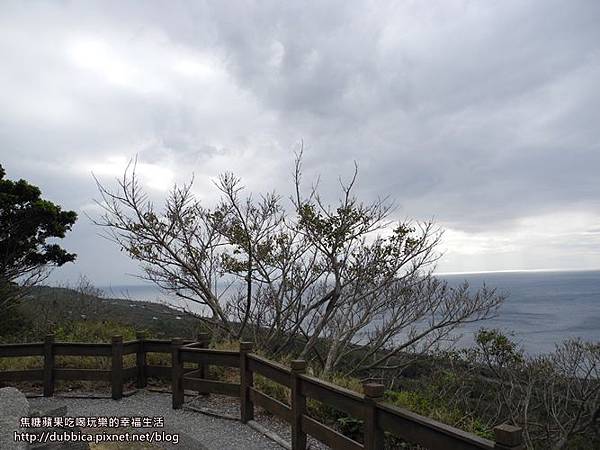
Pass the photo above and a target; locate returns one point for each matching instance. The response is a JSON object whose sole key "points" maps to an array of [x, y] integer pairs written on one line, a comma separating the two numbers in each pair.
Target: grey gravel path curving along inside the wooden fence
{"points": [[197, 431]]}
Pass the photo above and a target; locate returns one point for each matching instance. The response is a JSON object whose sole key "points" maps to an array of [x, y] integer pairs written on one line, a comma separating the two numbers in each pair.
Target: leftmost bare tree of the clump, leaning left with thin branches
{"points": [[178, 247]]}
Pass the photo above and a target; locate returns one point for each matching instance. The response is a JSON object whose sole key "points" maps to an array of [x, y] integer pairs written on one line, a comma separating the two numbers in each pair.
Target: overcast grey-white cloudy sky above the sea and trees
{"points": [[482, 116]]}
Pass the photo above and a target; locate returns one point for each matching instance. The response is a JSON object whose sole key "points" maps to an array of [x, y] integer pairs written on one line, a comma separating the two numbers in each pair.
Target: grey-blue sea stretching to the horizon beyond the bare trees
{"points": [[541, 308]]}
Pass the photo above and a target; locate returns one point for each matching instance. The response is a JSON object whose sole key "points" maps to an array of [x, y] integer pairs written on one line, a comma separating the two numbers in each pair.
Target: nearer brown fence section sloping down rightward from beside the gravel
{"points": [[378, 418]]}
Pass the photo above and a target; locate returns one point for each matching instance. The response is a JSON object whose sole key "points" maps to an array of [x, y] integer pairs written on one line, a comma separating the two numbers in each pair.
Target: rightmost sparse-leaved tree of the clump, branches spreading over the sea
{"points": [[378, 290]]}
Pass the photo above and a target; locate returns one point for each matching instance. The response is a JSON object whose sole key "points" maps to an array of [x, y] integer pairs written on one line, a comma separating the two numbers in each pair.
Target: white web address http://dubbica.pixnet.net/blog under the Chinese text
{"points": [[96, 438]]}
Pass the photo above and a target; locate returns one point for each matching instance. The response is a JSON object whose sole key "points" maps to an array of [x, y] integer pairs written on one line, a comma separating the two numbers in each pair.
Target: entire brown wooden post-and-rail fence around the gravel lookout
{"points": [[377, 417]]}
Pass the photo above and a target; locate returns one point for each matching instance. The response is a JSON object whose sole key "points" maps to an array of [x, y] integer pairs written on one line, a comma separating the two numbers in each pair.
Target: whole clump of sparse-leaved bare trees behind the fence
{"points": [[347, 273]]}
